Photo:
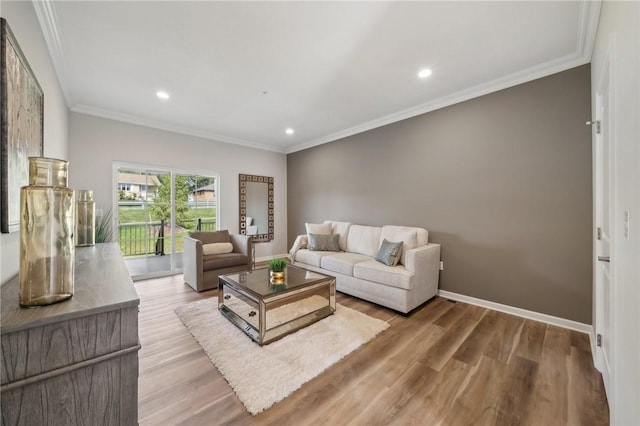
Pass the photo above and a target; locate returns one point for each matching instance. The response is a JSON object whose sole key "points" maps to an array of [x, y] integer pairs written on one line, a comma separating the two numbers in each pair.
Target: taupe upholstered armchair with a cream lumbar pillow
{"points": [[209, 254]]}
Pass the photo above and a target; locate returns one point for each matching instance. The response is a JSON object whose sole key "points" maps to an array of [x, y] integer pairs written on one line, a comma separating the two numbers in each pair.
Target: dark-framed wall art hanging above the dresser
{"points": [[21, 126]]}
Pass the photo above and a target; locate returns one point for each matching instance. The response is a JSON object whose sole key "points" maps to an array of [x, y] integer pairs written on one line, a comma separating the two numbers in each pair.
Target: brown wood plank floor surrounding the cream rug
{"points": [[446, 364]]}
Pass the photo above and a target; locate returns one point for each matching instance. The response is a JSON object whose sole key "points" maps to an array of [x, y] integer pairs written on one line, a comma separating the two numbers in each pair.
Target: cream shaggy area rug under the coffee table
{"points": [[262, 376]]}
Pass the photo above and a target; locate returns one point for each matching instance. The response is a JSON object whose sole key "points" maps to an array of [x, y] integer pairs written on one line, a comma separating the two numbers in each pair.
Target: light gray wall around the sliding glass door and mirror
{"points": [[96, 143]]}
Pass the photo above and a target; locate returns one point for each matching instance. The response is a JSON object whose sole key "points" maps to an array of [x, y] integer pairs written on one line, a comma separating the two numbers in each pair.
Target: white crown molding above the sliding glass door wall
{"points": [[160, 125]]}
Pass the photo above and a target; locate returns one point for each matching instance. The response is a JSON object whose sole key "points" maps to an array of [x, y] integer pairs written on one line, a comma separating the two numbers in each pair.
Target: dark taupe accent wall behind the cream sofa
{"points": [[502, 181]]}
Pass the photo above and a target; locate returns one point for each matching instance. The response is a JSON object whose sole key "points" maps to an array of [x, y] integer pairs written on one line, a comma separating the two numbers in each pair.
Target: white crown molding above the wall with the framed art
{"points": [[48, 24]]}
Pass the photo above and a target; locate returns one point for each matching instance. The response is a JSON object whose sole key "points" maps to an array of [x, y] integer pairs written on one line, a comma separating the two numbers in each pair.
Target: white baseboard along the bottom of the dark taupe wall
{"points": [[524, 313]]}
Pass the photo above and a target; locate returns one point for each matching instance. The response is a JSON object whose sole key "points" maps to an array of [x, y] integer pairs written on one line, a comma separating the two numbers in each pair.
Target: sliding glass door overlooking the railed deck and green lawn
{"points": [[157, 207]]}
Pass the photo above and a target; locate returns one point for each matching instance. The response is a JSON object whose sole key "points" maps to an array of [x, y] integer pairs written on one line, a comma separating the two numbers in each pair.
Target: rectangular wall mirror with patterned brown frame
{"points": [[256, 207]]}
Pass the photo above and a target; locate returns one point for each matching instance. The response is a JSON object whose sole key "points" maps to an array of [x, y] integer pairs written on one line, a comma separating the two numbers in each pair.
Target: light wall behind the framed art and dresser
{"points": [[24, 23]]}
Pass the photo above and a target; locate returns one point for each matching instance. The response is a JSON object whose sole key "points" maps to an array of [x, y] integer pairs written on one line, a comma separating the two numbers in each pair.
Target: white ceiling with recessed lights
{"points": [[242, 72]]}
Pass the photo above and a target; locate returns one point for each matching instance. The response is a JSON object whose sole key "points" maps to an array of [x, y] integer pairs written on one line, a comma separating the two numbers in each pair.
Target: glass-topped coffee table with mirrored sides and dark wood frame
{"points": [[267, 309]]}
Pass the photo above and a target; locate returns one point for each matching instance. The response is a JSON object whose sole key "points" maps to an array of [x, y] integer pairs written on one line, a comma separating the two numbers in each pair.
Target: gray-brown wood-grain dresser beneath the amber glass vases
{"points": [[74, 362]]}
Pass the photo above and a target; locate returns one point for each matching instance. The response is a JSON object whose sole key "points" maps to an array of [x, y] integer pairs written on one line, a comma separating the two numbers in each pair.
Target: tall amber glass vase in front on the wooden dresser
{"points": [[46, 234]]}
